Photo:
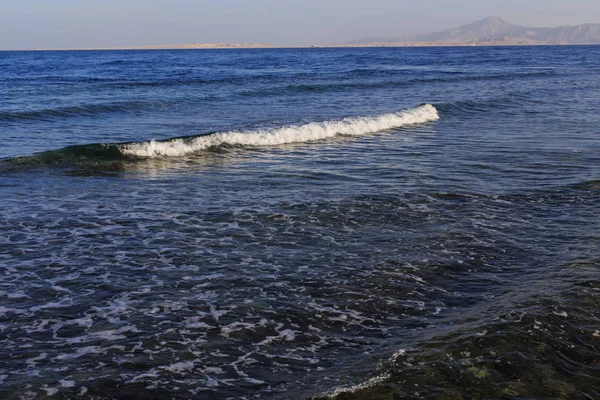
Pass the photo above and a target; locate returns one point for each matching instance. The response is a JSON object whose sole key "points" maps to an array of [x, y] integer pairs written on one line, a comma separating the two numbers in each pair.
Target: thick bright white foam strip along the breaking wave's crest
{"points": [[289, 134]]}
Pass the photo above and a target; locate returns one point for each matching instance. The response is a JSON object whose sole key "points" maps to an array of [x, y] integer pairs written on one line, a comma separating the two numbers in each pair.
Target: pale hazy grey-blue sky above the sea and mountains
{"points": [[92, 23]]}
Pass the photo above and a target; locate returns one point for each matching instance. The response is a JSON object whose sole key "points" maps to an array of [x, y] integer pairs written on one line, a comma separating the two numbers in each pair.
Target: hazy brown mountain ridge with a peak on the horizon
{"points": [[495, 30]]}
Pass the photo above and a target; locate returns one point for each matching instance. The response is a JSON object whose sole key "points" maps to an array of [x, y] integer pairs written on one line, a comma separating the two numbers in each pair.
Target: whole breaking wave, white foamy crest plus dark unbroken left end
{"points": [[102, 154]]}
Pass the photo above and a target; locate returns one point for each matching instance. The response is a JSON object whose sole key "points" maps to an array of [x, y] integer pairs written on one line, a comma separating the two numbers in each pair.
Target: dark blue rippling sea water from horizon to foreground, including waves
{"points": [[300, 223]]}
